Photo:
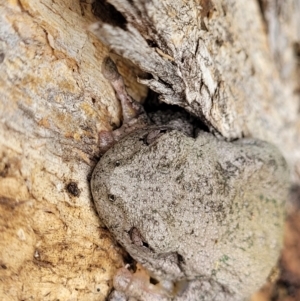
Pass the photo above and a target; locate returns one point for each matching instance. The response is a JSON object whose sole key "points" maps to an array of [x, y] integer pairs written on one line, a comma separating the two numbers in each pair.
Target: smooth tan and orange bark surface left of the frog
{"points": [[54, 100]]}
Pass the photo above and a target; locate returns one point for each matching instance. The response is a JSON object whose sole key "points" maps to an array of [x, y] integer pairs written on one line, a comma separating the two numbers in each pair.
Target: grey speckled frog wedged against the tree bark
{"points": [[203, 217]]}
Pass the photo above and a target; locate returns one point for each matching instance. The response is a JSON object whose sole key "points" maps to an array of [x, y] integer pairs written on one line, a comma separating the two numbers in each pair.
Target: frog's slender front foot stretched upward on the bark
{"points": [[134, 116]]}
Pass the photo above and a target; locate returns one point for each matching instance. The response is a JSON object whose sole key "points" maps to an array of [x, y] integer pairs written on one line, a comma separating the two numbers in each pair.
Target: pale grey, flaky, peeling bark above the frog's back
{"points": [[213, 59]]}
